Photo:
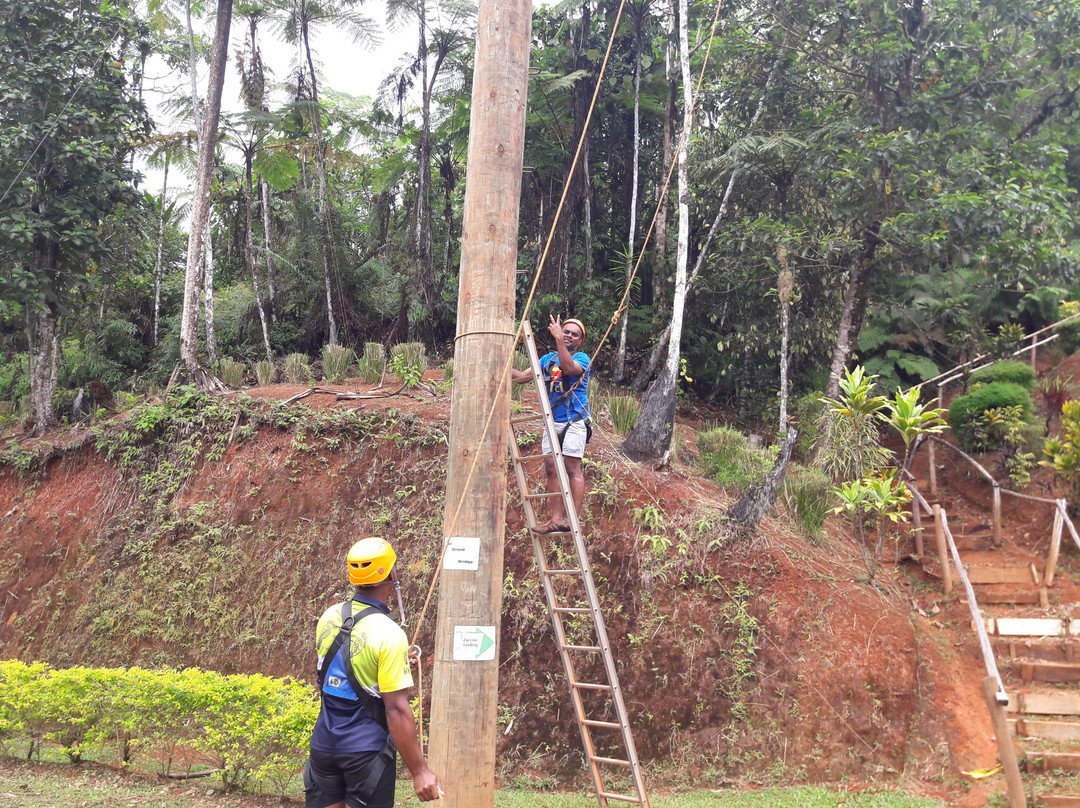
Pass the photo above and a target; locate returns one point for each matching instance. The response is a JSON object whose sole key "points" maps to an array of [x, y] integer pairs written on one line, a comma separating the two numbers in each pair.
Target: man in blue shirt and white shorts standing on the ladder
{"points": [[566, 376]]}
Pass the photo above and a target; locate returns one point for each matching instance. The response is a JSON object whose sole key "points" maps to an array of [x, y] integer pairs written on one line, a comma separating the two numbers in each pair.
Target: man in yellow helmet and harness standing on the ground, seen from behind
{"points": [[364, 681]]}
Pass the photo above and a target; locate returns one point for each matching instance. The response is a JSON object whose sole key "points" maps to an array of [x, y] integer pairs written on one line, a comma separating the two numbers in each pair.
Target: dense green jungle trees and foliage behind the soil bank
{"points": [[890, 182]]}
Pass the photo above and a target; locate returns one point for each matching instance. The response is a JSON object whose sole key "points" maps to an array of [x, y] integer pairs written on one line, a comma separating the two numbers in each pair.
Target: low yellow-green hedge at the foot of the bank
{"points": [[253, 730]]}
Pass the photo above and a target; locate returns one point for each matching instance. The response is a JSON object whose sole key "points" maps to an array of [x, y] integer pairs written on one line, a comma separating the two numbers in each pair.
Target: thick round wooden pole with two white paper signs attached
{"points": [[466, 690]]}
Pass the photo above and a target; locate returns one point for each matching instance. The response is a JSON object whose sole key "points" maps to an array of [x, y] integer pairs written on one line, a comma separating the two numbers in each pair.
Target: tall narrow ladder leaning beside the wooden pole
{"points": [[576, 617]]}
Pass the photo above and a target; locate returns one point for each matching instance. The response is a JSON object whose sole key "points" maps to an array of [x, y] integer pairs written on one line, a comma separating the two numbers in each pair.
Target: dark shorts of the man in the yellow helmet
{"points": [[330, 778]]}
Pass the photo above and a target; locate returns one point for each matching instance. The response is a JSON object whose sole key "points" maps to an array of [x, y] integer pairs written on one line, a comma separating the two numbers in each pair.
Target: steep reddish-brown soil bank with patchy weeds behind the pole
{"points": [[210, 533]]}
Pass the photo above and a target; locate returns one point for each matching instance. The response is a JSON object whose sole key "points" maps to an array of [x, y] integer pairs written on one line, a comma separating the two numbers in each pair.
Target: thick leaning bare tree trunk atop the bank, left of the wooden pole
{"points": [[200, 216]]}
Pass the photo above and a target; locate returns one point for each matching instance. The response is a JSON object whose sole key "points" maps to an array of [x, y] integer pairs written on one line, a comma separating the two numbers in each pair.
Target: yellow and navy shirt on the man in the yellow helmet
{"points": [[380, 653]]}
